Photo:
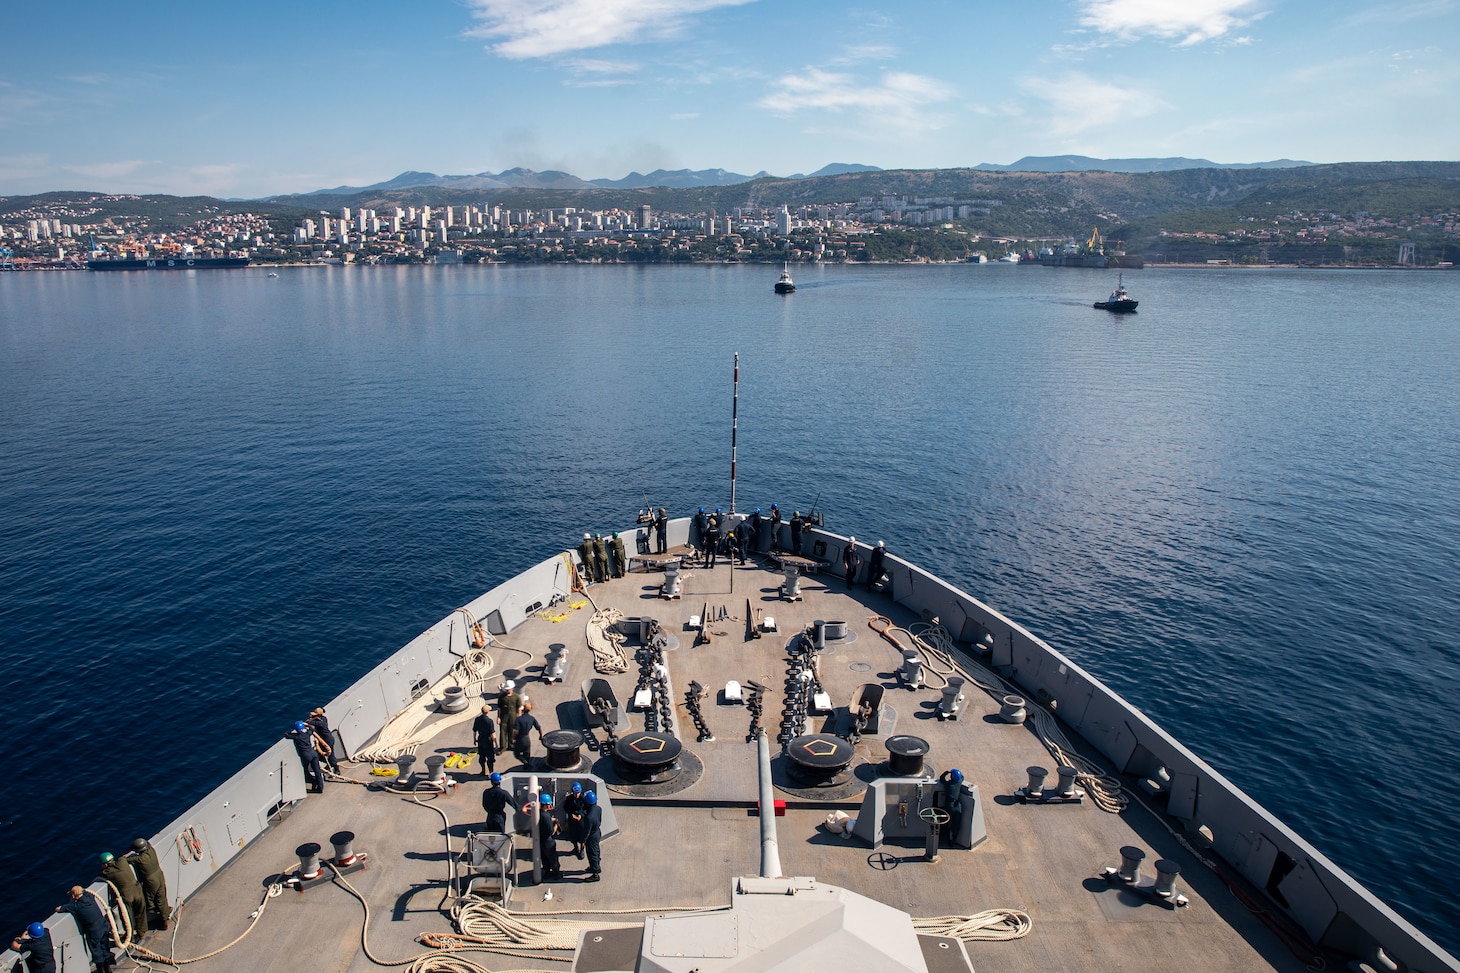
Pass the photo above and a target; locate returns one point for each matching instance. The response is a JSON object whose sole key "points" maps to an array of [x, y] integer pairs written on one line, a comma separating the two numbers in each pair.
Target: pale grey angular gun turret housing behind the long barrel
{"points": [[785, 924]]}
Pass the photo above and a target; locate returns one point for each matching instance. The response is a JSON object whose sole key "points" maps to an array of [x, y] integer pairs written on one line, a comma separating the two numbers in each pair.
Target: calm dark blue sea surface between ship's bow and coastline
{"points": [[224, 496]]}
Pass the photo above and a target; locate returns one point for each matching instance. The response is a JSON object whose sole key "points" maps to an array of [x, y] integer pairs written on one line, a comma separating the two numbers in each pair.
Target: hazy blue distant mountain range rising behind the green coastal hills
{"points": [[697, 179]]}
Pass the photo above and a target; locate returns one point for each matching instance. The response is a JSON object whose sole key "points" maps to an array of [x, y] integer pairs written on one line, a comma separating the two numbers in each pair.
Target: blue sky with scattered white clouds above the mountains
{"points": [[255, 99]]}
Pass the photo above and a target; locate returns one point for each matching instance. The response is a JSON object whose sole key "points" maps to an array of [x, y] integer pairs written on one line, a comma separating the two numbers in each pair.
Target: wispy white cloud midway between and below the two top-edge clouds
{"points": [[896, 99]]}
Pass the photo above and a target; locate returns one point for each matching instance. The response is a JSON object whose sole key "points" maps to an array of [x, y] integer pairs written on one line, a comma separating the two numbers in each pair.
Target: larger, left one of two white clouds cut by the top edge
{"points": [[541, 28]]}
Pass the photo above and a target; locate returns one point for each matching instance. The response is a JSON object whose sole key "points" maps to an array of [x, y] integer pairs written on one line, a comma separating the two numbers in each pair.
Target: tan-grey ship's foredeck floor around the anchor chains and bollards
{"points": [[1039, 860]]}
